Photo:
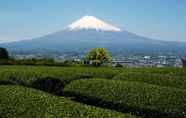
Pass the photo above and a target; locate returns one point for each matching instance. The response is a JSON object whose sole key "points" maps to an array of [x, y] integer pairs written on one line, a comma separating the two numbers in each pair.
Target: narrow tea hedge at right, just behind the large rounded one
{"points": [[157, 79]]}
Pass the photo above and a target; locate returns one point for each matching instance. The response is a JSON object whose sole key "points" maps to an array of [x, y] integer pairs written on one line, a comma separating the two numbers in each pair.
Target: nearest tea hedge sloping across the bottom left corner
{"points": [[20, 102]]}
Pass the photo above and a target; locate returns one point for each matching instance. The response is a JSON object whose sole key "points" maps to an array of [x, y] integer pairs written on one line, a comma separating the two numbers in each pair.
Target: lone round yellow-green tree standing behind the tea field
{"points": [[98, 56]]}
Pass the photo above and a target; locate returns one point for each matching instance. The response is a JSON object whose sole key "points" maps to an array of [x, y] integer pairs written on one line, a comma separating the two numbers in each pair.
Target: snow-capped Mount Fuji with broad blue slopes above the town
{"points": [[90, 32]]}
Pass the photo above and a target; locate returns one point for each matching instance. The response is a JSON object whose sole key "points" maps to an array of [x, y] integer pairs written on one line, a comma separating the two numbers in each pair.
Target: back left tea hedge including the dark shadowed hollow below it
{"points": [[50, 79]]}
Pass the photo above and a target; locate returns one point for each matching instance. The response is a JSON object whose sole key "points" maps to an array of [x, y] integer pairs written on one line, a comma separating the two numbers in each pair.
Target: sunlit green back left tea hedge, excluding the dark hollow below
{"points": [[26, 75]]}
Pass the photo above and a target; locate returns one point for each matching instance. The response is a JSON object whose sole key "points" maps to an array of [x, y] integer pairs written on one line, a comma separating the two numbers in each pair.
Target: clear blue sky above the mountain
{"points": [[158, 19]]}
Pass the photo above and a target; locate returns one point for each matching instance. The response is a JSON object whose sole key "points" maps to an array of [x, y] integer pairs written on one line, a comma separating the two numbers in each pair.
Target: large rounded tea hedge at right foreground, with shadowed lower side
{"points": [[149, 101]]}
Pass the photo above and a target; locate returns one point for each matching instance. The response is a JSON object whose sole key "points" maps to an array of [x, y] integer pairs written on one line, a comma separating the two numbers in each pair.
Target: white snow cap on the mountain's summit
{"points": [[91, 22]]}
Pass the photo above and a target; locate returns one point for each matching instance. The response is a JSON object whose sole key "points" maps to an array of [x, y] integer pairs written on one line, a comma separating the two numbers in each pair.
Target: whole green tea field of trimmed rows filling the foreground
{"points": [[92, 92]]}
